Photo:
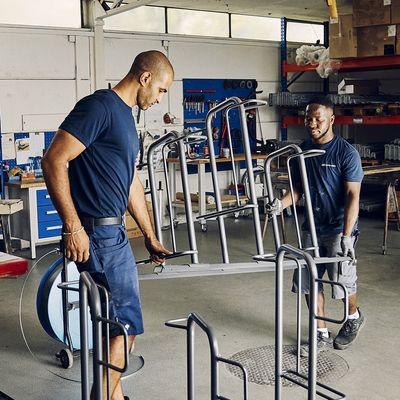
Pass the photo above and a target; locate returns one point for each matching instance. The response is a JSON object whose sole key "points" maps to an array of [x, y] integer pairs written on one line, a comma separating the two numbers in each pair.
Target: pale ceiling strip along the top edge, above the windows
{"points": [[313, 10]]}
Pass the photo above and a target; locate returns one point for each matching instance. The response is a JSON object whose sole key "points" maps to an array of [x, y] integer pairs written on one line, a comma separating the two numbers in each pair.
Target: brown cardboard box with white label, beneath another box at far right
{"points": [[376, 40]]}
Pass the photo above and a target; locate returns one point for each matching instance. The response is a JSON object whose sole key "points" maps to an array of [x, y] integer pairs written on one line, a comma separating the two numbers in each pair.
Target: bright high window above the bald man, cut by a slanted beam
{"points": [[141, 19]]}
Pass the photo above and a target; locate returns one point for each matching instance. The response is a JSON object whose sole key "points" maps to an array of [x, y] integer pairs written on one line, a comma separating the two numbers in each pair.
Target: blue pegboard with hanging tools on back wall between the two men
{"points": [[200, 95]]}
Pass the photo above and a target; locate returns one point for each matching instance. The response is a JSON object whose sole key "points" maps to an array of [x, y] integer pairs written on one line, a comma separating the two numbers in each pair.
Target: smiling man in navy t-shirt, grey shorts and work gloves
{"points": [[335, 183]]}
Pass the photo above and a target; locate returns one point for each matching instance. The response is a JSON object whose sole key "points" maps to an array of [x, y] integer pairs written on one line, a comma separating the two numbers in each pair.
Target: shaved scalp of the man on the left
{"points": [[151, 61]]}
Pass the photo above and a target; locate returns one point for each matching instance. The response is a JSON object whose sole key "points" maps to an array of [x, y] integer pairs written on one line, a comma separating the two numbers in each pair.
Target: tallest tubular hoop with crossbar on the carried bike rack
{"points": [[226, 106]]}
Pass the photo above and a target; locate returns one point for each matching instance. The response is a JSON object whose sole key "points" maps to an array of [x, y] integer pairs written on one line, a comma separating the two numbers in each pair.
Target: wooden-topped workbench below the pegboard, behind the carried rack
{"points": [[201, 163]]}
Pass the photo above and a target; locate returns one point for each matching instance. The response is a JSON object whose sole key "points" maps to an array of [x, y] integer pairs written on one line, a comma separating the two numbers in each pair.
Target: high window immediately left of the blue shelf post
{"points": [[249, 27]]}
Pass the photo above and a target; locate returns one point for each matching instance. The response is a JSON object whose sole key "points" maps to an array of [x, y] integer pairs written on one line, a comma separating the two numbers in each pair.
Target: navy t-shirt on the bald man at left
{"points": [[101, 176]]}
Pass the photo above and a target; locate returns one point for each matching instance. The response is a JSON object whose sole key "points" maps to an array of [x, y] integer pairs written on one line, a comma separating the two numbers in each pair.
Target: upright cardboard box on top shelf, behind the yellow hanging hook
{"points": [[342, 38]]}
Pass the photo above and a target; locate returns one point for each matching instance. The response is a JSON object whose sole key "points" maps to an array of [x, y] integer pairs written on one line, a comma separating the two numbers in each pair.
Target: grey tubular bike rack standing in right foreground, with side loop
{"points": [[311, 379]]}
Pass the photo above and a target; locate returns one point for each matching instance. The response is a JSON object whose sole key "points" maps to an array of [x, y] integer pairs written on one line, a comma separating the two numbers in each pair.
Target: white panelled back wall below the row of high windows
{"points": [[44, 72]]}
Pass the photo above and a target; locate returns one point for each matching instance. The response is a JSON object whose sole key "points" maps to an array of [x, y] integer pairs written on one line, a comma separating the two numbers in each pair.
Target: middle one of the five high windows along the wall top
{"points": [[189, 22]]}
